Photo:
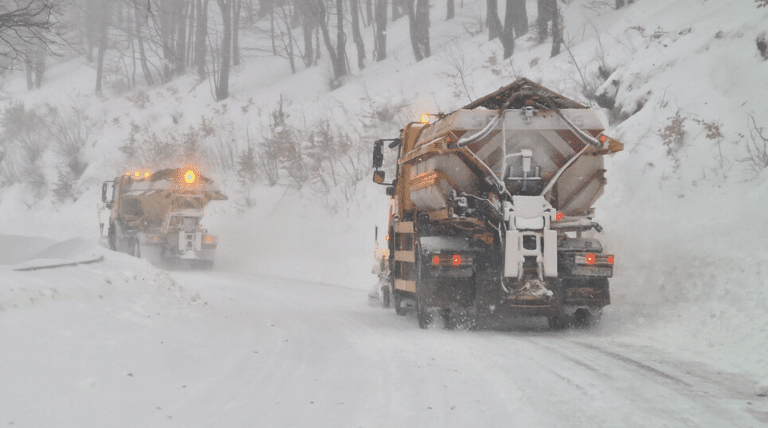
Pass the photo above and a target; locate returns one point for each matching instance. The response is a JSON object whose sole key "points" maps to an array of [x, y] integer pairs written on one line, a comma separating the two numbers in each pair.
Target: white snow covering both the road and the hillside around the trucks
{"points": [[281, 332]]}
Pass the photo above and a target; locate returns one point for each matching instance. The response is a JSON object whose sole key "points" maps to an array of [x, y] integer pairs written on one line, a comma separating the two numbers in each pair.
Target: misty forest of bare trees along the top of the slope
{"points": [[147, 42]]}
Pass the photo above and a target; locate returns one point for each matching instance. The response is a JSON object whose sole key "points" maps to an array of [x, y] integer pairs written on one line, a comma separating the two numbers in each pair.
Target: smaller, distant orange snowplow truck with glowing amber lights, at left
{"points": [[157, 215]]}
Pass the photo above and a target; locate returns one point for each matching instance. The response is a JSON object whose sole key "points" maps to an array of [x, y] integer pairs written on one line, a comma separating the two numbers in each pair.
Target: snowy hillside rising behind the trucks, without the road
{"points": [[682, 211]]}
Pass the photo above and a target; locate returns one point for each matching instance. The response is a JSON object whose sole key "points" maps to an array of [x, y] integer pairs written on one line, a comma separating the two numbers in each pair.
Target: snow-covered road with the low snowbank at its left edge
{"points": [[119, 344]]}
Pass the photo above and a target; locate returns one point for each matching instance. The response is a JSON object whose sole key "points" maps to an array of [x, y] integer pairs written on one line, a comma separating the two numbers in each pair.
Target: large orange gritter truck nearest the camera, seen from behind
{"points": [[492, 211]]}
